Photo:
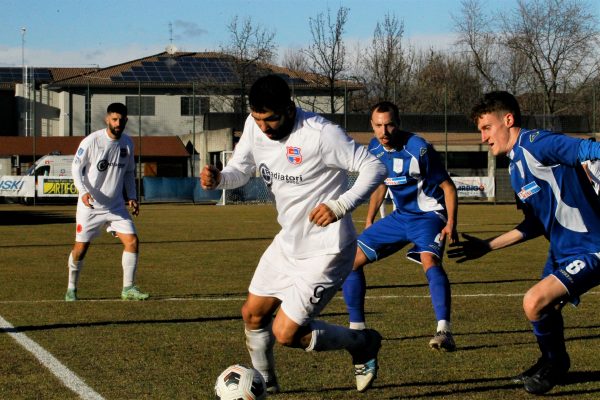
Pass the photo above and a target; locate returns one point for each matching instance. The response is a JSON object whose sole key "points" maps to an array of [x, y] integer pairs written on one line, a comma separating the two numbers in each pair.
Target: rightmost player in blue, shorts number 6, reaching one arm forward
{"points": [[559, 203]]}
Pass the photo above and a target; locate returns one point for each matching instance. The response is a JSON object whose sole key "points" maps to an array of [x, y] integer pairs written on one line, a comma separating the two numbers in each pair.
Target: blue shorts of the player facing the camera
{"points": [[392, 233]]}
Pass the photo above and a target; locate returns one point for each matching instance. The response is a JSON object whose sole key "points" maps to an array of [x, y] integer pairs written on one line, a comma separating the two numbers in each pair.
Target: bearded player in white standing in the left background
{"points": [[103, 166]]}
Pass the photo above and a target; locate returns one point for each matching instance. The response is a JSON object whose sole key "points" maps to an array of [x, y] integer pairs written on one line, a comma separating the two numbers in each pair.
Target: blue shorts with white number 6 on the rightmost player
{"points": [[578, 273]]}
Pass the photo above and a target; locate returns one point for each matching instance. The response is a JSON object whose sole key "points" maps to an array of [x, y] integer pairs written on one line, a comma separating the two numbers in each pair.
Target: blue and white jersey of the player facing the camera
{"points": [[414, 174]]}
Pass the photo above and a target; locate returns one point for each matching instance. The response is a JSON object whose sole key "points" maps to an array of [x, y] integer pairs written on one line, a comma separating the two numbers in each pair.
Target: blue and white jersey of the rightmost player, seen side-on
{"points": [[547, 176]]}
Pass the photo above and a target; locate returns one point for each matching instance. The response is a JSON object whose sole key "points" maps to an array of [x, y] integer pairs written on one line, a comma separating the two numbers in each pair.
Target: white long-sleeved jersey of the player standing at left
{"points": [[102, 167]]}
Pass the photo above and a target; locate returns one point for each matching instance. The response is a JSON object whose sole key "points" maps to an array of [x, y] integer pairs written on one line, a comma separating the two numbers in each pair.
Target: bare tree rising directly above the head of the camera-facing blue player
{"points": [[387, 62]]}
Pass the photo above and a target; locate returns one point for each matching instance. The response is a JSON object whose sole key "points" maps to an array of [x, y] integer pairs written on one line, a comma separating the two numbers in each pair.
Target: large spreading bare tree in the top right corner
{"points": [[559, 38]]}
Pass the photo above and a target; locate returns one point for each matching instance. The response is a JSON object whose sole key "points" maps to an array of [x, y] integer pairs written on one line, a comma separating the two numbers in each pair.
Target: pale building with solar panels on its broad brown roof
{"points": [[166, 94]]}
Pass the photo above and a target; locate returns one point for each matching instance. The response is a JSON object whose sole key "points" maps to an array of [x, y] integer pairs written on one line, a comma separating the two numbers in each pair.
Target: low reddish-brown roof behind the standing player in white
{"points": [[151, 146]]}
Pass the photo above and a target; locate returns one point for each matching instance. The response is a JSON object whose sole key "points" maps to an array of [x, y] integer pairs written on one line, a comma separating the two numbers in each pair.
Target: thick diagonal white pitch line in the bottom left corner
{"points": [[65, 375]]}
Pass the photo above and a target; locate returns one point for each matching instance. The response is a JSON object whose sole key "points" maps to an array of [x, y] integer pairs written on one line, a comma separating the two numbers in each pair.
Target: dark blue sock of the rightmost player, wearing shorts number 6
{"points": [[549, 332]]}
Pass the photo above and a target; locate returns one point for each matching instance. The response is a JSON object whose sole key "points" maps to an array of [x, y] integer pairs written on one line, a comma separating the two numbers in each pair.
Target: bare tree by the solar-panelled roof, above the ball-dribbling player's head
{"points": [[250, 44]]}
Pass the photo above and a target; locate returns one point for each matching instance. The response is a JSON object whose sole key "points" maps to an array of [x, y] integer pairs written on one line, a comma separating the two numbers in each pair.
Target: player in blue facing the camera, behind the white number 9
{"points": [[425, 214]]}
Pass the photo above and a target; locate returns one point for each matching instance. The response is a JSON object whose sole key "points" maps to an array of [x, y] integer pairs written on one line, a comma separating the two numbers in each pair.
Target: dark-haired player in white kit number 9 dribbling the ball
{"points": [[303, 159]]}
